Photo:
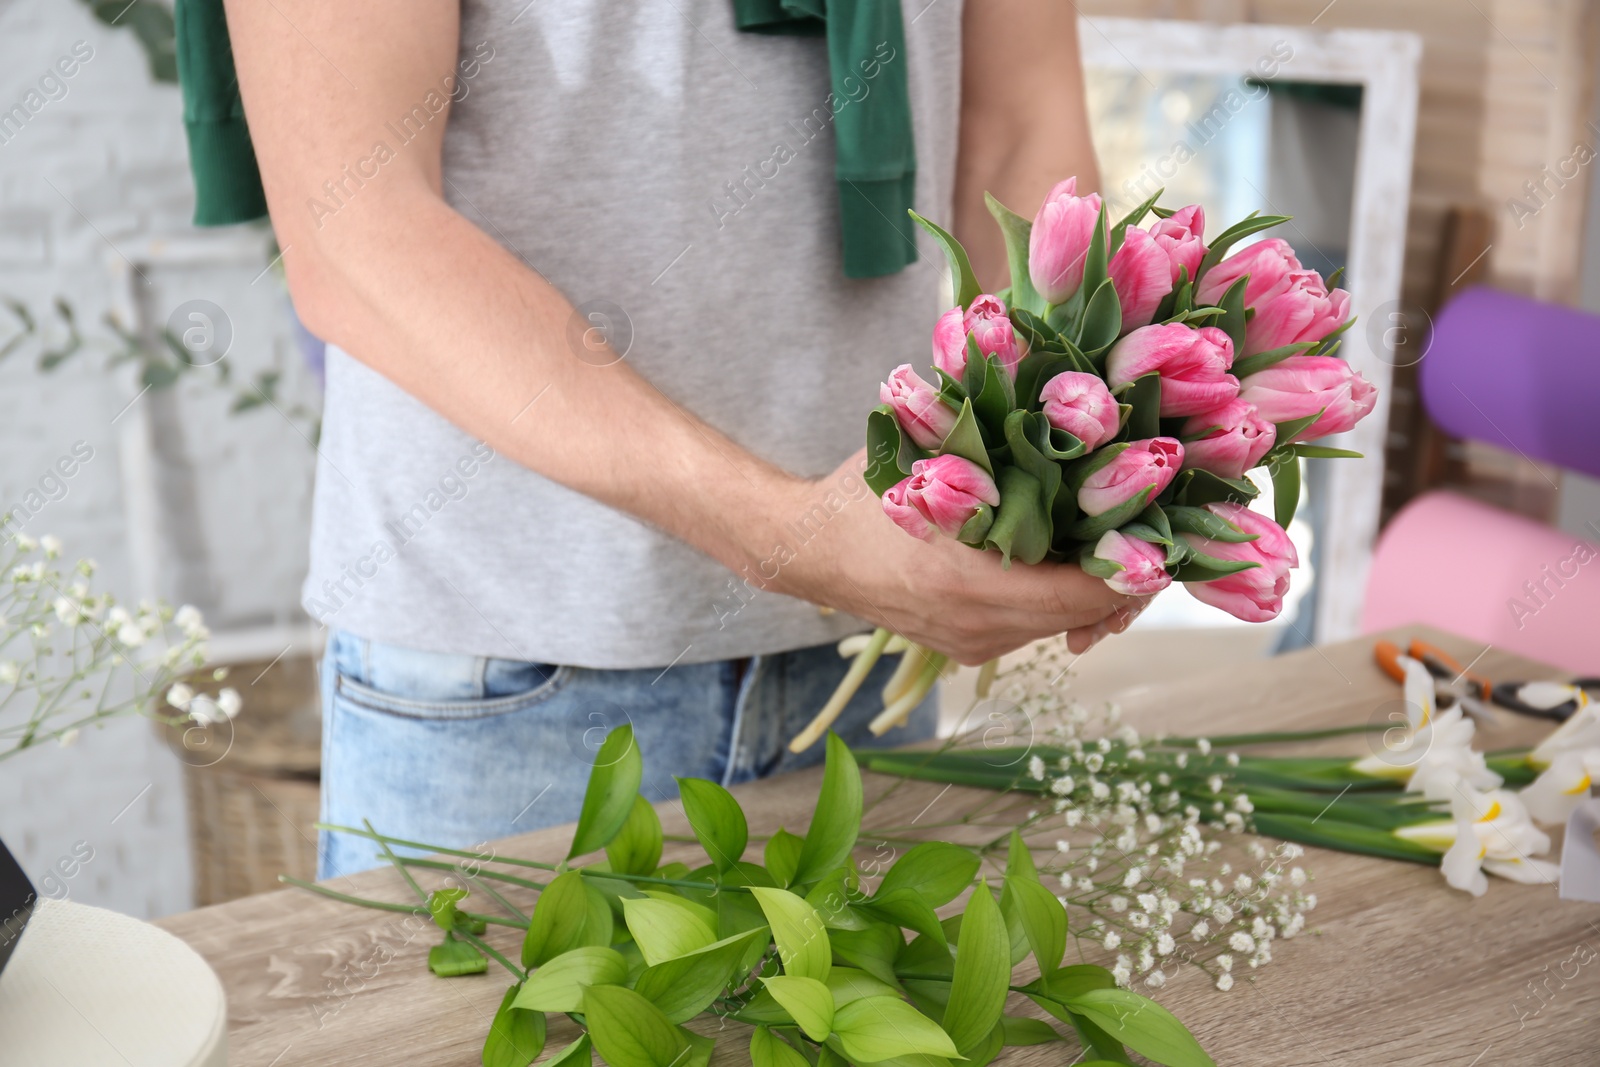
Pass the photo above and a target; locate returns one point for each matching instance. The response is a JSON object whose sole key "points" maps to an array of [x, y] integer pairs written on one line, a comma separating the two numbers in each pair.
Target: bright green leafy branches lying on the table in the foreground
{"points": [[826, 972]]}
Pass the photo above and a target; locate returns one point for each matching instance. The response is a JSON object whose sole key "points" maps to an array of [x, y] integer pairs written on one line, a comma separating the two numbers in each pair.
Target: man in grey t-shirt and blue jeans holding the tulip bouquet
{"points": [[598, 378]]}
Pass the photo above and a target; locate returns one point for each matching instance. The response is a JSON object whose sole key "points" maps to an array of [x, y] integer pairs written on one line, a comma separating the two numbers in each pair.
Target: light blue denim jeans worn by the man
{"points": [[457, 749]]}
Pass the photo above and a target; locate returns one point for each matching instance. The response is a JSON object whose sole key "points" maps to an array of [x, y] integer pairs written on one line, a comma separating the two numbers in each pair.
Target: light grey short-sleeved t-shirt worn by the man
{"points": [[674, 178]]}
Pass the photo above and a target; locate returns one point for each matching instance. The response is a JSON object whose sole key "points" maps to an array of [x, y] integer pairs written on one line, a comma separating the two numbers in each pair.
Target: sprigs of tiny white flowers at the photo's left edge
{"points": [[74, 658]]}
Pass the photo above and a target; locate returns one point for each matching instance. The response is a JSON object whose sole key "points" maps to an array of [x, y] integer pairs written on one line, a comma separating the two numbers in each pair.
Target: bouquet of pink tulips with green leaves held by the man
{"points": [[1106, 409]]}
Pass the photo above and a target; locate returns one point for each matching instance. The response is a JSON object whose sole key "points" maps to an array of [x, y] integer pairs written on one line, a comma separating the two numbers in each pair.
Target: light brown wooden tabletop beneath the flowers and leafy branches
{"points": [[1396, 969]]}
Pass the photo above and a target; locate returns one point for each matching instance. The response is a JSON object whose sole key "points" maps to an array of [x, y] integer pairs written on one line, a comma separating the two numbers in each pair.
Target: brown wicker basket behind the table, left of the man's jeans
{"points": [[254, 783]]}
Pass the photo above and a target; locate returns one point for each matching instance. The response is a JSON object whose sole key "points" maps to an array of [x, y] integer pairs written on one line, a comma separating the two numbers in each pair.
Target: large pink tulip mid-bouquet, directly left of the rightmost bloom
{"points": [[1193, 366]]}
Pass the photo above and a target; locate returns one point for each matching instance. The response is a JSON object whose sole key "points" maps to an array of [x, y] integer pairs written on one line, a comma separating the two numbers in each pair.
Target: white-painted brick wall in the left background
{"points": [[114, 150]]}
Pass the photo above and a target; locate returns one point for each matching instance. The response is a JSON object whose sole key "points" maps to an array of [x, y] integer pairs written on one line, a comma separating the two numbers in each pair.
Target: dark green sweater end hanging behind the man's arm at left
{"points": [[222, 159]]}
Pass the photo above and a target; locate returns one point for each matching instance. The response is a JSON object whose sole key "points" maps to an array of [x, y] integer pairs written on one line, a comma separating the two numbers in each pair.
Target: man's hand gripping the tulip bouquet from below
{"points": [[946, 596]]}
